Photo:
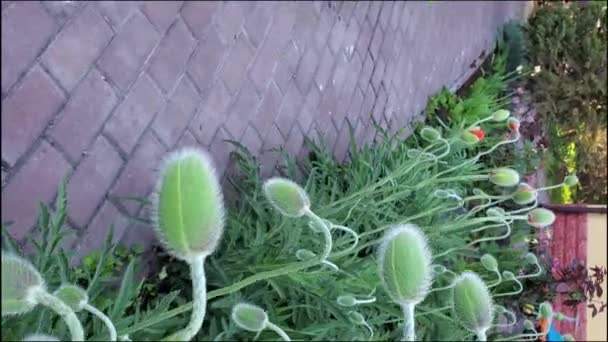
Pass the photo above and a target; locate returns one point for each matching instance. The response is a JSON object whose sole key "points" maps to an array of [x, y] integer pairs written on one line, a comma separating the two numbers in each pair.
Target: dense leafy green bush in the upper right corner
{"points": [[568, 42]]}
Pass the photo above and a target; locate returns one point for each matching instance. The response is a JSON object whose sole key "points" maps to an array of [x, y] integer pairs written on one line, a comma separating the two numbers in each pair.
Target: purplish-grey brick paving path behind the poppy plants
{"points": [[100, 91]]}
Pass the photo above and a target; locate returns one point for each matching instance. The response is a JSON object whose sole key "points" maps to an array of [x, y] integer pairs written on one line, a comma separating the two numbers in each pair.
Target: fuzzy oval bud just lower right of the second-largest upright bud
{"points": [[472, 302]]}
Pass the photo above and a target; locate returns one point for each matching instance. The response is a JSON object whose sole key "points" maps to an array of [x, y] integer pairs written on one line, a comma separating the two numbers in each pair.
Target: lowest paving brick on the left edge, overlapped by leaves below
{"points": [[36, 181]]}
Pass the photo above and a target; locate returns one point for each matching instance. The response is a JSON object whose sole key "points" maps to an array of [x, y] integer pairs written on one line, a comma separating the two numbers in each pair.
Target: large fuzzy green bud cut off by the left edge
{"points": [[20, 282]]}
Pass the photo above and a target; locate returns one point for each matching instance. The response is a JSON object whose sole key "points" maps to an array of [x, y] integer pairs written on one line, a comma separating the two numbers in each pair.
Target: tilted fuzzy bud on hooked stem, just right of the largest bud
{"points": [[287, 197]]}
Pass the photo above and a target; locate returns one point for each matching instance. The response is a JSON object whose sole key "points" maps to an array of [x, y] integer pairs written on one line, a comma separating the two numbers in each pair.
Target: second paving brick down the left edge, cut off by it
{"points": [[23, 120]]}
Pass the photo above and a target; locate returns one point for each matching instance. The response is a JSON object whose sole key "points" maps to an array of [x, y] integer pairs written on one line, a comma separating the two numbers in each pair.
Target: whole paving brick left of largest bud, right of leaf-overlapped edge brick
{"points": [[91, 180]]}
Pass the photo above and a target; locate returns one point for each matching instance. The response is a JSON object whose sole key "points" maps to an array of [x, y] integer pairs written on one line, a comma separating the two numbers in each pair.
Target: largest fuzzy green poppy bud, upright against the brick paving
{"points": [[189, 208]]}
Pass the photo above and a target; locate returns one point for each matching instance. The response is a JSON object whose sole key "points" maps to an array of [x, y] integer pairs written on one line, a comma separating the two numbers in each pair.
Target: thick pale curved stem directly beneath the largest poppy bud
{"points": [[199, 292]]}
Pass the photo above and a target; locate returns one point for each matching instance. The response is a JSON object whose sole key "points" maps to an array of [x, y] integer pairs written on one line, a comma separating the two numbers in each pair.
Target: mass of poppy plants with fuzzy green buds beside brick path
{"points": [[383, 246]]}
